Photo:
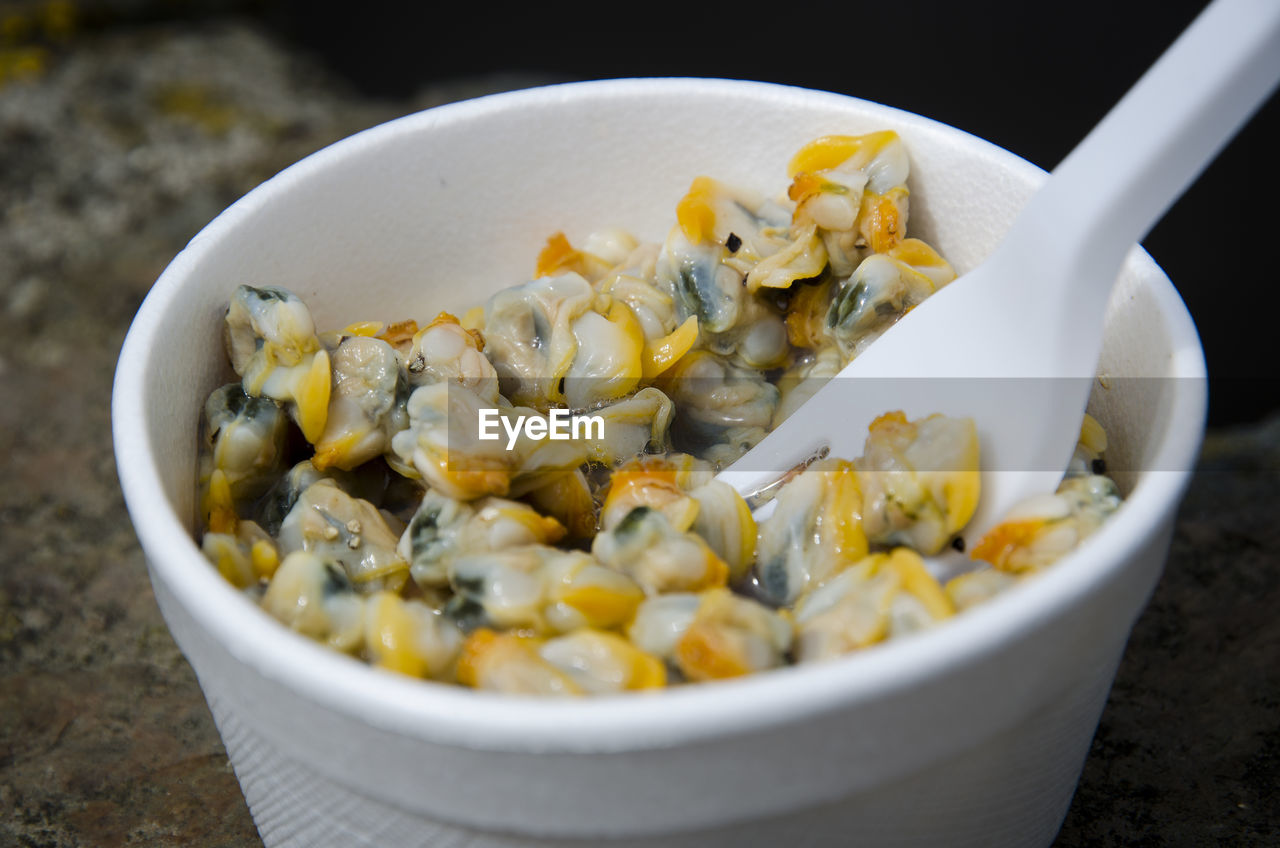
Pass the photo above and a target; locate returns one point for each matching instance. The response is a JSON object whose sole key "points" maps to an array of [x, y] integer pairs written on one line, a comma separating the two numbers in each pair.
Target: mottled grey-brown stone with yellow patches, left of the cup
{"points": [[113, 159]]}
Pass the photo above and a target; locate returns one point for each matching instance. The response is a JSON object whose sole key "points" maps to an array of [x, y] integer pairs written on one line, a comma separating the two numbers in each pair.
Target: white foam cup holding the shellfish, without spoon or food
{"points": [[970, 735]]}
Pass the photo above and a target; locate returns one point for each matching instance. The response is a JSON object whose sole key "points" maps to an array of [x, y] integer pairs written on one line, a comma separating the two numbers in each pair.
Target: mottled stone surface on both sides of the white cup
{"points": [[125, 143]]}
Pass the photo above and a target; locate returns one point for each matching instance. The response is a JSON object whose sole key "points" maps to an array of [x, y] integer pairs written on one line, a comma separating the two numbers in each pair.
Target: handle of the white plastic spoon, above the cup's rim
{"points": [[1119, 181]]}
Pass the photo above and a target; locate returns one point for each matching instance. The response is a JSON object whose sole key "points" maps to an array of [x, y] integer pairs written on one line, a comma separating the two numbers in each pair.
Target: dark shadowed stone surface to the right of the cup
{"points": [[1188, 750]]}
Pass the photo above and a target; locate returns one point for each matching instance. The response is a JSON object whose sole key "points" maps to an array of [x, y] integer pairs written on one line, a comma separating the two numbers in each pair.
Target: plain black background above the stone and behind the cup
{"points": [[1031, 77]]}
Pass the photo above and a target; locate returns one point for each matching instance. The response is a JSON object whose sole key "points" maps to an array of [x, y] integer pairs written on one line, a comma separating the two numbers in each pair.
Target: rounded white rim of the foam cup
{"points": [[454, 715]]}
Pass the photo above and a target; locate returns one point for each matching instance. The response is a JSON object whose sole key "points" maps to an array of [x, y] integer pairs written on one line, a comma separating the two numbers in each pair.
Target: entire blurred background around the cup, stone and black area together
{"points": [[127, 125]]}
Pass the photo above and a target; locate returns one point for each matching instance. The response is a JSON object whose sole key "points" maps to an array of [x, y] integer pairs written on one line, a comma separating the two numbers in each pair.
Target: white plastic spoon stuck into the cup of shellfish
{"points": [[1014, 344]]}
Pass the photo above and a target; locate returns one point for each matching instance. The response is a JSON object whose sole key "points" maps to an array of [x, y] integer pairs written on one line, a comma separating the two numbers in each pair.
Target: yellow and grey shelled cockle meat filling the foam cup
{"points": [[524, 499]]}
